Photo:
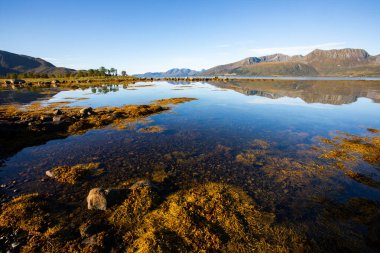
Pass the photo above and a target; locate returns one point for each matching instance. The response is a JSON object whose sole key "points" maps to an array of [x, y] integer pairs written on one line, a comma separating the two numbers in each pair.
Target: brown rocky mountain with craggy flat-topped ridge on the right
{"points": [[337, 62]]}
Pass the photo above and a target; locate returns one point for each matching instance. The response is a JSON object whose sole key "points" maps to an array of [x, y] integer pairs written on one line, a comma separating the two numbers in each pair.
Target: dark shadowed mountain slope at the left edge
{"points": [[16, 63]]}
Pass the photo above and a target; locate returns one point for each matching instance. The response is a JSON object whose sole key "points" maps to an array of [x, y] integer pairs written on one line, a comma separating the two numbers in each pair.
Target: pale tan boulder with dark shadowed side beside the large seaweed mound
{"points": [[101, 199]]}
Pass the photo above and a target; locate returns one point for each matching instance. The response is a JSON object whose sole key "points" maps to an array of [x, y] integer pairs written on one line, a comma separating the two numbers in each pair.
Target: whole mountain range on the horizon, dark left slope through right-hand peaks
{"points": [[336, 62]]}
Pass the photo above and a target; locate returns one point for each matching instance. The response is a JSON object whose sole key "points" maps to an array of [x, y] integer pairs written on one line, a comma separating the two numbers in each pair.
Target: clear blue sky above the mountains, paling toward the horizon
{"points": [[153, 35]]}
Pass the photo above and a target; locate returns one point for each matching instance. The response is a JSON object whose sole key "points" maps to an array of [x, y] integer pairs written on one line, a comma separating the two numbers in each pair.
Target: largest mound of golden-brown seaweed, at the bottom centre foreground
{"points": [[208, 218]]}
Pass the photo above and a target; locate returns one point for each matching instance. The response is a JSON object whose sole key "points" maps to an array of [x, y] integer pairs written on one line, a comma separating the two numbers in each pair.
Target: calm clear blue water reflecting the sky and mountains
{"points": [[204, 137]]}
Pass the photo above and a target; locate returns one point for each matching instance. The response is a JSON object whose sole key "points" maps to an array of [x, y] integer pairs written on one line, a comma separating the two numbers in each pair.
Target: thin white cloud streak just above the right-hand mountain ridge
{"points": [[296, 49]]}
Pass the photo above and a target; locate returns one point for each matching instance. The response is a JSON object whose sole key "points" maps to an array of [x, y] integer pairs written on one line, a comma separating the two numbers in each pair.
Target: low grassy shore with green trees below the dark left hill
{"points": [[102, 71]]}
